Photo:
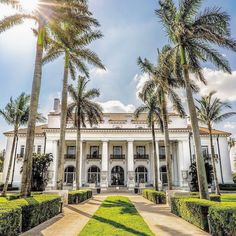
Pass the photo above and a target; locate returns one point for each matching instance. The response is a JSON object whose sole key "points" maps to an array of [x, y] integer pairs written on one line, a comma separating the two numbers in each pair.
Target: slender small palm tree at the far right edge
{"points": [[209, 111]]}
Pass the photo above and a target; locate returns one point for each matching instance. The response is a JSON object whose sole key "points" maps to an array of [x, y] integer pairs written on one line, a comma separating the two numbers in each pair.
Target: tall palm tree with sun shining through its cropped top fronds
{"points": [[48, 16]]}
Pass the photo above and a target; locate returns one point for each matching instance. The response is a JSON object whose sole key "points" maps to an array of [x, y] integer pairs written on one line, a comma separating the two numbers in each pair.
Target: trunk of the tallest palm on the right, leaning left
{"points": [[201, 171]]}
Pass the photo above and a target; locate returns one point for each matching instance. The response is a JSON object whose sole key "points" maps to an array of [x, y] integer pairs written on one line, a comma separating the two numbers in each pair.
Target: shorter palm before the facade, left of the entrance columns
{"points": [[83, 110]]}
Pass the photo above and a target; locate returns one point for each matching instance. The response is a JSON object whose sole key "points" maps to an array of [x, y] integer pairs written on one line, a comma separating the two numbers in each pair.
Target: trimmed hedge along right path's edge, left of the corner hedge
{"points": [[193, 210]]}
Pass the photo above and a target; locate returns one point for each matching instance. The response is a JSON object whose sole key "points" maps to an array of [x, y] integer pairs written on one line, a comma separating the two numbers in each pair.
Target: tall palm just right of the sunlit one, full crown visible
{"points": [[72, 45]]}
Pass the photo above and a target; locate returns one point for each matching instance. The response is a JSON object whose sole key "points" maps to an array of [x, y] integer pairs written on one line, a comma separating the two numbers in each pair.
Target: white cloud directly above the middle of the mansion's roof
{"points": [[116, 107]]}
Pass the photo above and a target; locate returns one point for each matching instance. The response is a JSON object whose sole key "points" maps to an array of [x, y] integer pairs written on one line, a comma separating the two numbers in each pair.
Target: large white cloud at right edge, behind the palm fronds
{"points": [[223, 83]]}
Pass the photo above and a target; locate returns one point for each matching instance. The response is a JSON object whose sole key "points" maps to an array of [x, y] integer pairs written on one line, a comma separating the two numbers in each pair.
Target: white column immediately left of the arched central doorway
{"points": [[104, 172]]}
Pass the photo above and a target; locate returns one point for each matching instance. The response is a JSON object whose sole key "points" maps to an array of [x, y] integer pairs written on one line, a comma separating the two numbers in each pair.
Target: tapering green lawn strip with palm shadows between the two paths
{"points": [[116, 216]]}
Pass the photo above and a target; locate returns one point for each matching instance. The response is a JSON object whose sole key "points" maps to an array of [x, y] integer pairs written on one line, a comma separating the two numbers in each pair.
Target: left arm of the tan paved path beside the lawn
{"points": [[71, 222]]}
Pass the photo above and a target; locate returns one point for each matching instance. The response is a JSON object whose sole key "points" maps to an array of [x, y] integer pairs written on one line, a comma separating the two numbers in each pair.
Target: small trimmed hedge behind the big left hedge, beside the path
{"points": [[79, 196]]}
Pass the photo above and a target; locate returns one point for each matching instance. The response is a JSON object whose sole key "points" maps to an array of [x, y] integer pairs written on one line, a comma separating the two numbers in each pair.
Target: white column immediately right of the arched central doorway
{"points": [[130, 160]]}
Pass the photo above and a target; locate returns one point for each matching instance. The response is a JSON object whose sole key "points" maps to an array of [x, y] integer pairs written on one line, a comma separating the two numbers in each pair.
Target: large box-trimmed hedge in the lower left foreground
{"points": [[23, 214]]}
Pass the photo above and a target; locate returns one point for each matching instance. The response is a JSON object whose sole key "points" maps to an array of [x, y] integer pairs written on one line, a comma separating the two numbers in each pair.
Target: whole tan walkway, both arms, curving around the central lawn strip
{"points": [[75, 217]]}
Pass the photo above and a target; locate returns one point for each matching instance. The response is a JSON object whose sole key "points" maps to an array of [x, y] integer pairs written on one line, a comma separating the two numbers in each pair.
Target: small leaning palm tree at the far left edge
{"points": [[16, 113]]}
